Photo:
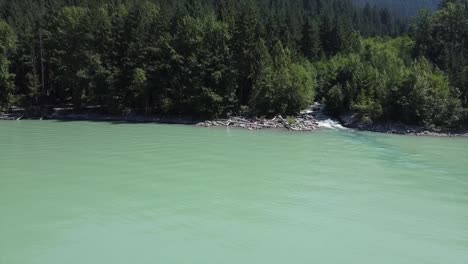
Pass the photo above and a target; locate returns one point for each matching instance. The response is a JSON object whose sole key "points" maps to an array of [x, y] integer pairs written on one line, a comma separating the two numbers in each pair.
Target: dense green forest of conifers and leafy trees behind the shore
{"points": [[211, 58]]}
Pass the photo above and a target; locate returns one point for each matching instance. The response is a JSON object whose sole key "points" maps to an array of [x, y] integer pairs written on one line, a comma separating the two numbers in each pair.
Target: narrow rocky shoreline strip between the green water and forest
{"points": [[307, 121]]}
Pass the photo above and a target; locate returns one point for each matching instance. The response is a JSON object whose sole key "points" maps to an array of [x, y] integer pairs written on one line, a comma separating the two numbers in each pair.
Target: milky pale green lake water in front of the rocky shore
{"points": [[98, 192]]}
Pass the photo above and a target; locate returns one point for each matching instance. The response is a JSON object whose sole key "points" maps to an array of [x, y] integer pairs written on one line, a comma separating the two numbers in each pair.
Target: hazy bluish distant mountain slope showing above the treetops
{"points": [[403, 7]]}
